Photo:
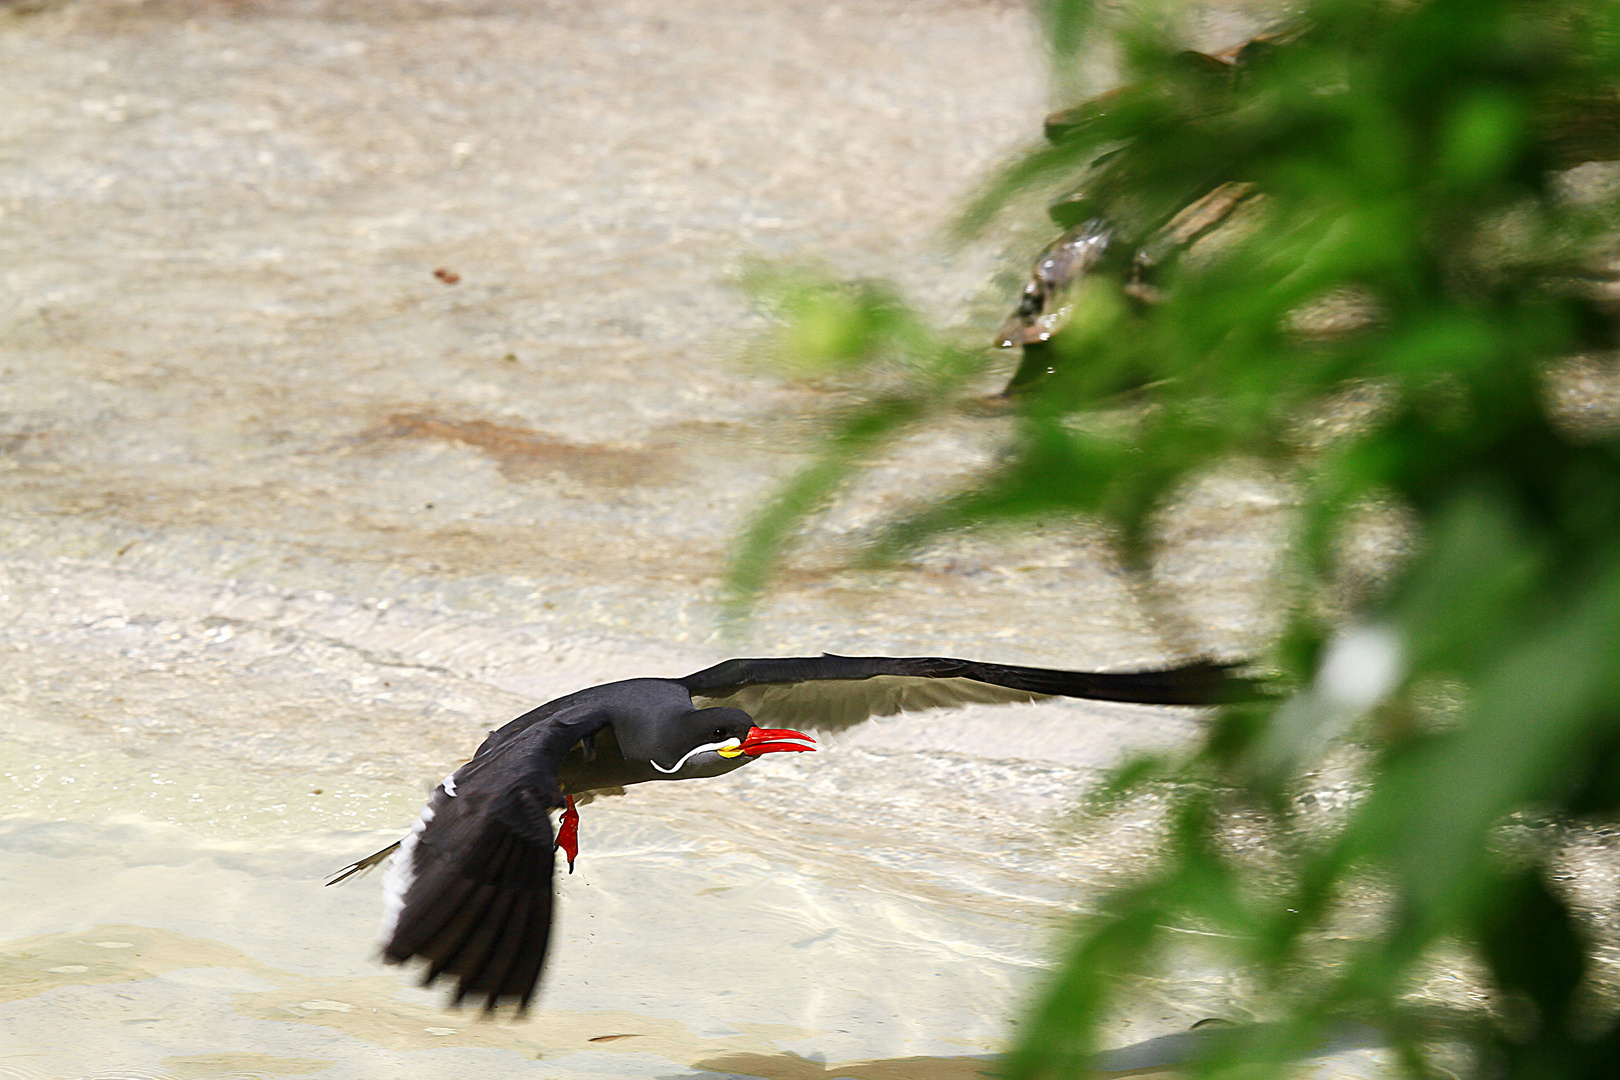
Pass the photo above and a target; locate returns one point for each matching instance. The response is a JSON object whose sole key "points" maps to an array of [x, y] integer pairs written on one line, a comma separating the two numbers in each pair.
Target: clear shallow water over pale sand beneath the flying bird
{"points": [[289, 524]]}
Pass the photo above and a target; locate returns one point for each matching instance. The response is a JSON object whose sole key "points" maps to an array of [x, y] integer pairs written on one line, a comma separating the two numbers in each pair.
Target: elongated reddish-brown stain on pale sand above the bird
{"points": [[524, 454]]}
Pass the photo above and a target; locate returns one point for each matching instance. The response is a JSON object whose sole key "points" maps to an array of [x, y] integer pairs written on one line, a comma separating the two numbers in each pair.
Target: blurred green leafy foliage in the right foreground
{"points": [[1409, 163]]}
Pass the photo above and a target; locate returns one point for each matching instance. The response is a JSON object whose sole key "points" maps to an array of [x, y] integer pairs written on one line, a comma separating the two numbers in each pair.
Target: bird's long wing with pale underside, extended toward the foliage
{"points": [[835, 692]]}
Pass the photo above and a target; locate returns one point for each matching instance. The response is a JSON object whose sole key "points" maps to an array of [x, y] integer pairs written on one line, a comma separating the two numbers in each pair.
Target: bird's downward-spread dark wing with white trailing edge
{"points": [[471, 888]]}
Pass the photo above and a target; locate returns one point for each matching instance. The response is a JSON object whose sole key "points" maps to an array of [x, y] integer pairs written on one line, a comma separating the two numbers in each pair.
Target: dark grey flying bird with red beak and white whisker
{"points": [[471, 888]]}
